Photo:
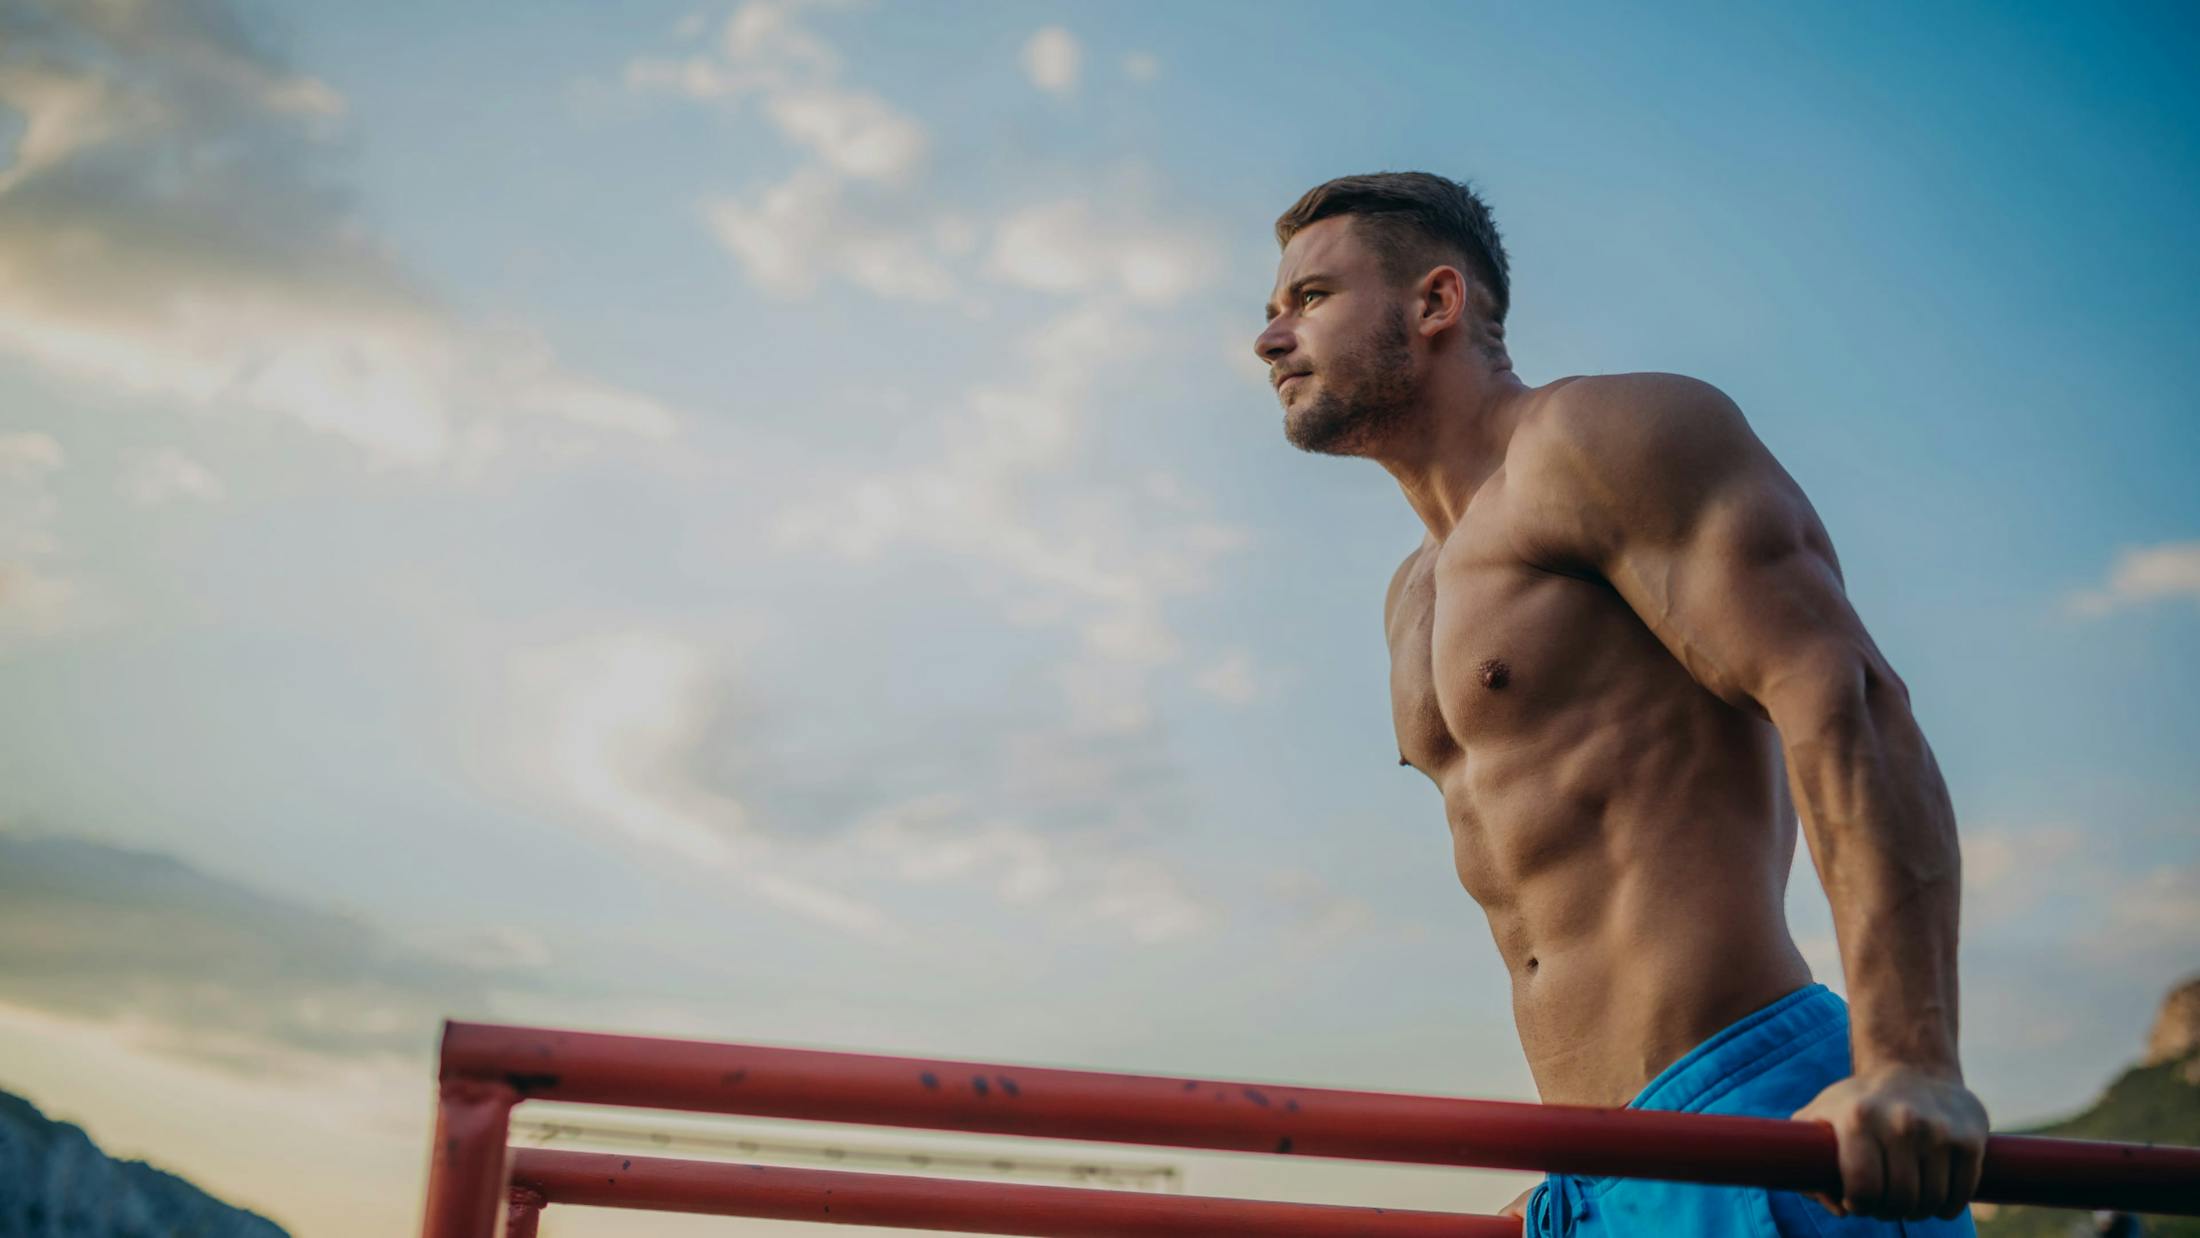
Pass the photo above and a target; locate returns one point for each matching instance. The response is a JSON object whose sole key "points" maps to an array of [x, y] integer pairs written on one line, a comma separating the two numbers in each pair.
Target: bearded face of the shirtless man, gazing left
{"points": [[1336, 344]]}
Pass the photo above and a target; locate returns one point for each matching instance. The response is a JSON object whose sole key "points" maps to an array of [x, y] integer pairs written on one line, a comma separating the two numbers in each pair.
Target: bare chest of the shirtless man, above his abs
{"points": [[1488, 650]]}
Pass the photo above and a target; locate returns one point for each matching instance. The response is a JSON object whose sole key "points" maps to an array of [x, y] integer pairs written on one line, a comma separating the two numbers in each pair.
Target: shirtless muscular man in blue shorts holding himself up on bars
{"points": [[1627, 659]]}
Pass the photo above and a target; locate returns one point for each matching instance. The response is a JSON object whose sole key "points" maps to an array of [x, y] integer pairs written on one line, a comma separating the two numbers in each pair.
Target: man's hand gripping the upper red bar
{"points": [[1911, 1142]]}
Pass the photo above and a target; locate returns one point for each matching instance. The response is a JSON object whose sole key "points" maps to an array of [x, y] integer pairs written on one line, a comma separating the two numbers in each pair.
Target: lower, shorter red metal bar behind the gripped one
{"points": [[837, 1197]]}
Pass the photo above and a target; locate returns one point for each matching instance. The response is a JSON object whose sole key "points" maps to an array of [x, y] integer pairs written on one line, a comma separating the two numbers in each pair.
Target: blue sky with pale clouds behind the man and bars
{"points": [[762, 522]]}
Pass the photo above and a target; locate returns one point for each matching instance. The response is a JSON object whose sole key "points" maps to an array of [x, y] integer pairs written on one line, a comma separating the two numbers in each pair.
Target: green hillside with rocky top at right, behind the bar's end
{"points": [[2155, 1103]]}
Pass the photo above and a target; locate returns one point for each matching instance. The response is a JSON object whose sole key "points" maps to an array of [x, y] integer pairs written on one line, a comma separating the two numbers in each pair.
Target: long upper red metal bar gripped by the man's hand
{"points": [[1264, 1118]]}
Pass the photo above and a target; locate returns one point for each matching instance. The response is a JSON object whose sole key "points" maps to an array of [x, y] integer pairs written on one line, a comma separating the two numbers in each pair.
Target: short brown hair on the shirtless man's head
{"points": [[1411, 219]]}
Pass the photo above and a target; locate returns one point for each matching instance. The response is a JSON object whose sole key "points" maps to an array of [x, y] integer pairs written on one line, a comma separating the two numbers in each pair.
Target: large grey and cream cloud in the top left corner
{"points": [[173, 232]]}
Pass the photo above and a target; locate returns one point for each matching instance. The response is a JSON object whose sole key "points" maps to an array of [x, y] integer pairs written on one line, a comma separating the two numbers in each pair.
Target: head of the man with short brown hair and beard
{"points": [[1380, 278]]}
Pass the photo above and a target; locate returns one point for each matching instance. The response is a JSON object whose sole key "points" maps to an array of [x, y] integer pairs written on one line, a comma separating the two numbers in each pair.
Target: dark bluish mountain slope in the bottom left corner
{"points": [[58, 1184]]}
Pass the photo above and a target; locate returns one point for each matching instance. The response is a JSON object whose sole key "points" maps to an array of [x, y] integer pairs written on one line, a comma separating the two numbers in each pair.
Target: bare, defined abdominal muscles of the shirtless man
{"points": [[1633, 878]]}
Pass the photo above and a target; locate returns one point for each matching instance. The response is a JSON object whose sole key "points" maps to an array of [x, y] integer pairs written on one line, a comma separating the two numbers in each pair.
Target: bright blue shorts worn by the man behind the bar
{"points": [[1765, 1065]]}
